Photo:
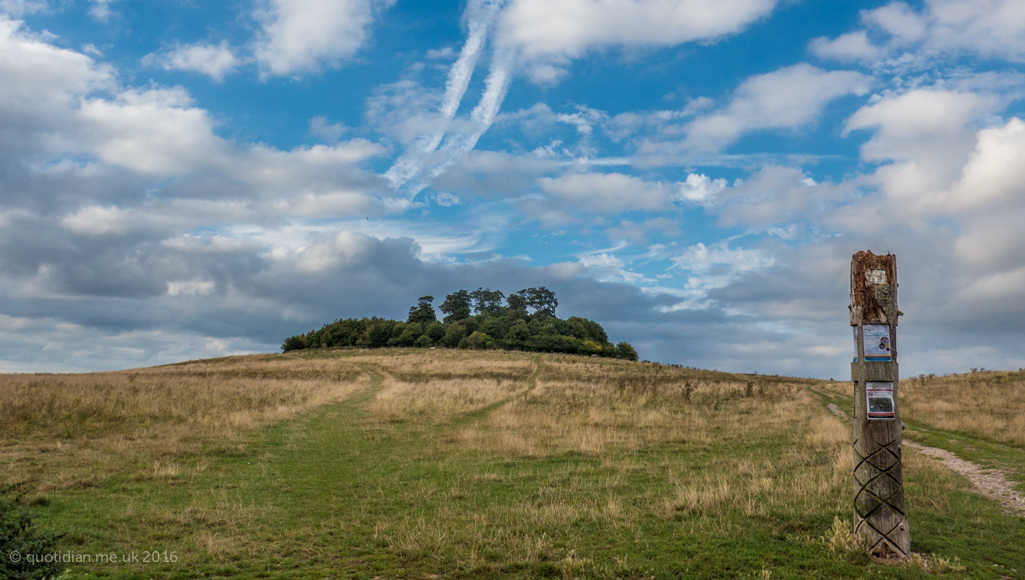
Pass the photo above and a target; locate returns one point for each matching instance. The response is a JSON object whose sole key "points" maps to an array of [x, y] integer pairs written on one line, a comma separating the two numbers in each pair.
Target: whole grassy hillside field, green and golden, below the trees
{"points": [[415, 464]]}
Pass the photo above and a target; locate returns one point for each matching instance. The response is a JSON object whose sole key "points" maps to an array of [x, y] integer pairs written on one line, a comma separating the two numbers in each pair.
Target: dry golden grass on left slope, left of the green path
{"points": [[67, 431]]}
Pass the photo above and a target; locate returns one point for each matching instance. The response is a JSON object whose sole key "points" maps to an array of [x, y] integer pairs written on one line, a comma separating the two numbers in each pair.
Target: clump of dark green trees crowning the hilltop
{"points": [[480, 319]]}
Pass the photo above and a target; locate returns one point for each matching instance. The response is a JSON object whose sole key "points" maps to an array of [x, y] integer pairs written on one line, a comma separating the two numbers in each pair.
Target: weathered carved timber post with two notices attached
{"points": [[880, 518]]}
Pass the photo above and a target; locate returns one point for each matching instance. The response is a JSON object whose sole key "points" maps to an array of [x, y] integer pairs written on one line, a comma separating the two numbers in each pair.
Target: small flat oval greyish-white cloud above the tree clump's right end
{"points": [[605, 193]]}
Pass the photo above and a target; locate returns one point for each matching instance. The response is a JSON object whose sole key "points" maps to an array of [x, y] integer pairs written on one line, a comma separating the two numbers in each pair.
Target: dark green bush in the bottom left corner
{"points": [[18, 534]]}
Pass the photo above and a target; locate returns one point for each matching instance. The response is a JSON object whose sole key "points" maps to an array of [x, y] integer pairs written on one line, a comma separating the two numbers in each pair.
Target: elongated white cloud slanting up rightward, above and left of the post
{"points": [[788, 99]]}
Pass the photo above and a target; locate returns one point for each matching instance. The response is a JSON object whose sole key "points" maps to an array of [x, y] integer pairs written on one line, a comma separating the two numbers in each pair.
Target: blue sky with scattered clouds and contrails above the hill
{"points": [[184, 180]]}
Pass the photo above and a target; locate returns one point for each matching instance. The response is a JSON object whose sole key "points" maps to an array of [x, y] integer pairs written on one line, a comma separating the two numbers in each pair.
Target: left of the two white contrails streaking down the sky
{"points": [[481, 16]]}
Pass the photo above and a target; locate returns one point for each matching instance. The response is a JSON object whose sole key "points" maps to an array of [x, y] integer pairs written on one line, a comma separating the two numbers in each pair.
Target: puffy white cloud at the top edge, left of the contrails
{"points": [[301, 36]]}
